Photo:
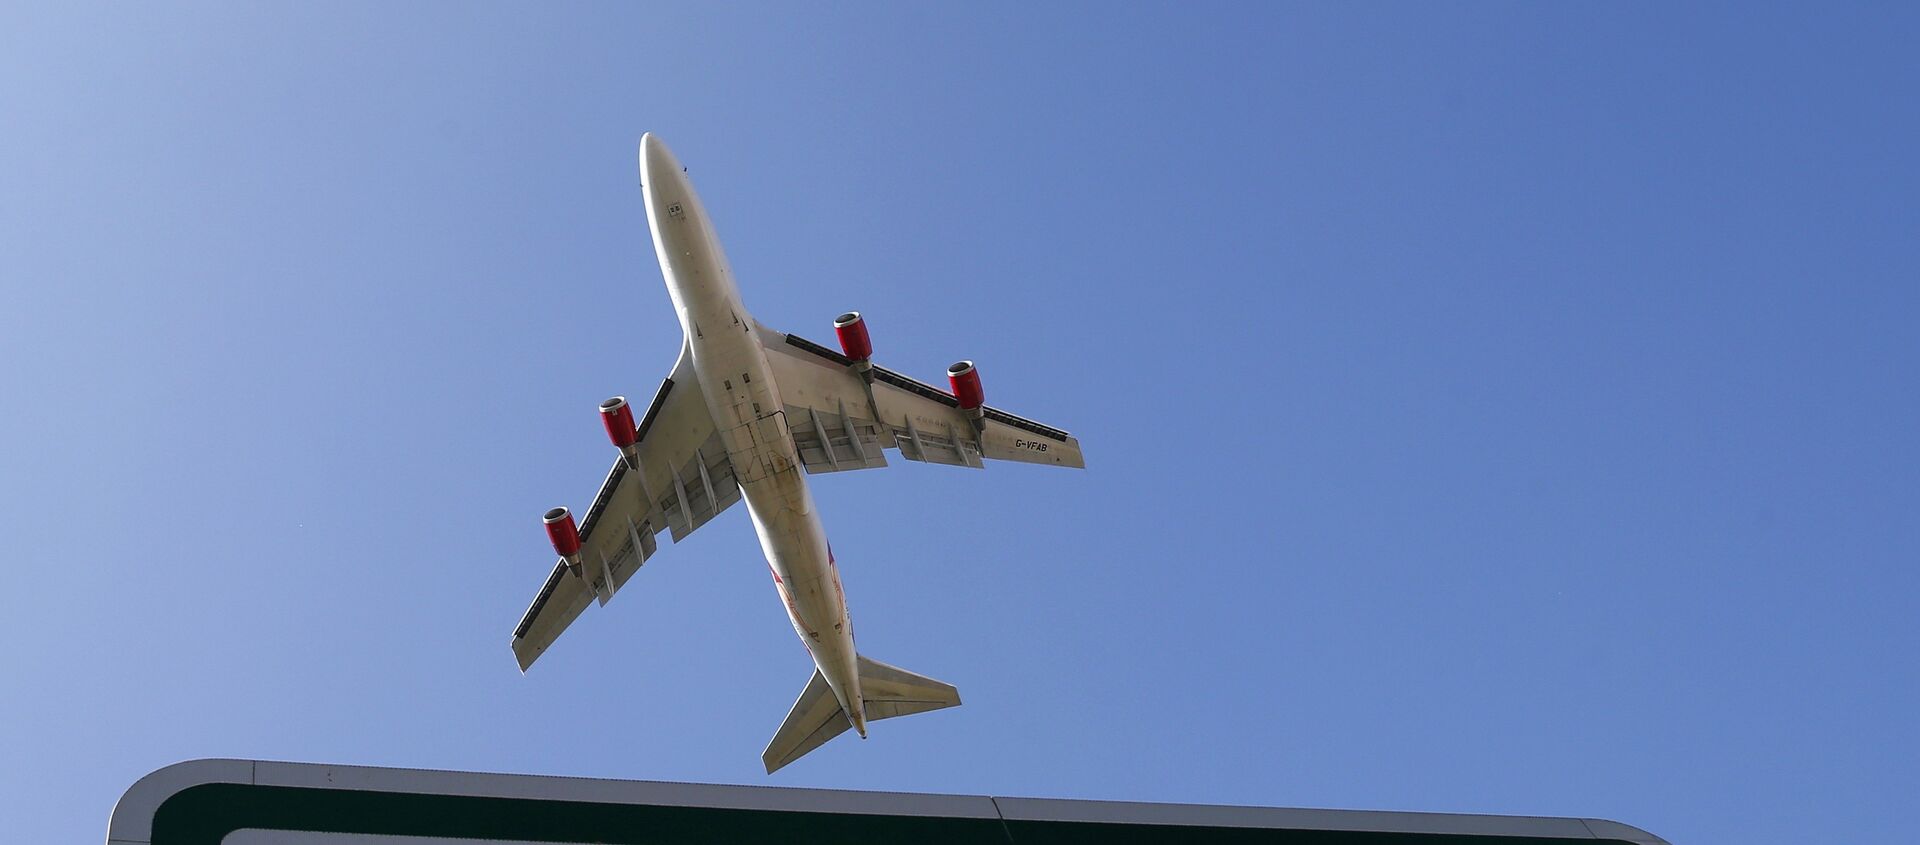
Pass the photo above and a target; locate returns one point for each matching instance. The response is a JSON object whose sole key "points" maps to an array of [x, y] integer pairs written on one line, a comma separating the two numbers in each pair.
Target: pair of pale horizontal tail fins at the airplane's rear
{"points": [[819, 715]]}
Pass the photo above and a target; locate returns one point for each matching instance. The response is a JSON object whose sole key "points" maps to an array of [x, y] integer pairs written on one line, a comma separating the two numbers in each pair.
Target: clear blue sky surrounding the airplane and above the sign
{"points": [[1489, 408]]}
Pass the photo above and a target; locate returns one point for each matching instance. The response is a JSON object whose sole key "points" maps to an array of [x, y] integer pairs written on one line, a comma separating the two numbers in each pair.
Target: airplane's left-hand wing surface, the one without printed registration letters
{"points": [[684, 481]]}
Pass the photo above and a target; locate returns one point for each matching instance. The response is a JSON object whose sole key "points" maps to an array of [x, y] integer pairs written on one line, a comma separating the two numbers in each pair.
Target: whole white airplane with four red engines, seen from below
{"points": [[748, 414]]}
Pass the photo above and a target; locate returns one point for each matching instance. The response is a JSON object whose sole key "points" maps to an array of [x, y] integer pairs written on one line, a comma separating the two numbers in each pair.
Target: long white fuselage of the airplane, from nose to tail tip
{"points": [[744, 400]]}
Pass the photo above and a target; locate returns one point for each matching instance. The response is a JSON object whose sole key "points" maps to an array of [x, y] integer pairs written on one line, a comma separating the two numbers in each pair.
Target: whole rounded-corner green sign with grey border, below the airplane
{"points": [[297, 804]]}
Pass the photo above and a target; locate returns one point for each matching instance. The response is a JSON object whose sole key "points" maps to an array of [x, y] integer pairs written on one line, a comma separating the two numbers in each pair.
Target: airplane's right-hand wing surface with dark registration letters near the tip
{"points": [[842, 422]]}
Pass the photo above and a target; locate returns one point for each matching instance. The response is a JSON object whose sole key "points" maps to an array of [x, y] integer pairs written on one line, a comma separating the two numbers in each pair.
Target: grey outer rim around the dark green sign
{"points": [[133, 815]]}
